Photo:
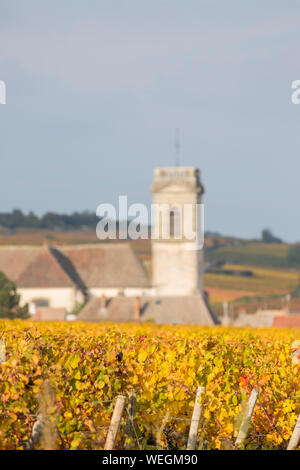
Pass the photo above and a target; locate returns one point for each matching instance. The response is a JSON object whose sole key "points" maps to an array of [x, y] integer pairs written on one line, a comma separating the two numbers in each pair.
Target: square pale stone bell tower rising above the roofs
{"points": [[177, 264]]}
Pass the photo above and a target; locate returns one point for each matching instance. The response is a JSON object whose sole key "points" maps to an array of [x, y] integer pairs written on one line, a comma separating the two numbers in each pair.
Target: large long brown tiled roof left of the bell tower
{"points": [[83, 266]]}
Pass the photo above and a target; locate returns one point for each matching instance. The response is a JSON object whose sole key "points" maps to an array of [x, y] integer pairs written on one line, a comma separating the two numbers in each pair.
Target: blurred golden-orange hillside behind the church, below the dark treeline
{"points": [[236, 270]]}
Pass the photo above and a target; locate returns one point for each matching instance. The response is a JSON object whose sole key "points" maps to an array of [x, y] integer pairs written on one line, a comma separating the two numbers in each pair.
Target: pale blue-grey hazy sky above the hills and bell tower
{"points": [[97, 88]]}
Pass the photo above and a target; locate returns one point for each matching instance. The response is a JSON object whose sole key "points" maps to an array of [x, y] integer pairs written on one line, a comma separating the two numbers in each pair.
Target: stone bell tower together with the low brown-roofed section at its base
{"points": [[177, 262]]}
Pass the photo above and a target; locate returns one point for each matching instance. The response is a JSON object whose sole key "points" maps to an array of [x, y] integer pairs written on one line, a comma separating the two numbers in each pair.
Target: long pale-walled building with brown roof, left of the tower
{"points": [[65, 276]]}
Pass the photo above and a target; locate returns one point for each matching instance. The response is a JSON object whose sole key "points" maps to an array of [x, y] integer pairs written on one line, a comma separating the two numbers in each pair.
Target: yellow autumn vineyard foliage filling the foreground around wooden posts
{"points": [[73, 373]]}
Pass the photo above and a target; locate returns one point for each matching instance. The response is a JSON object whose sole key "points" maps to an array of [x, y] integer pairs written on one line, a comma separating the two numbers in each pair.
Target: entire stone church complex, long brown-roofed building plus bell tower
{"points": [[110, 280]]}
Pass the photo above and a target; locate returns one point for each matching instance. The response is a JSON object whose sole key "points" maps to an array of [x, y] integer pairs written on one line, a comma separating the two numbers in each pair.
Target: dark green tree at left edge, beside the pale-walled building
{"points": [[9, 300]]}
